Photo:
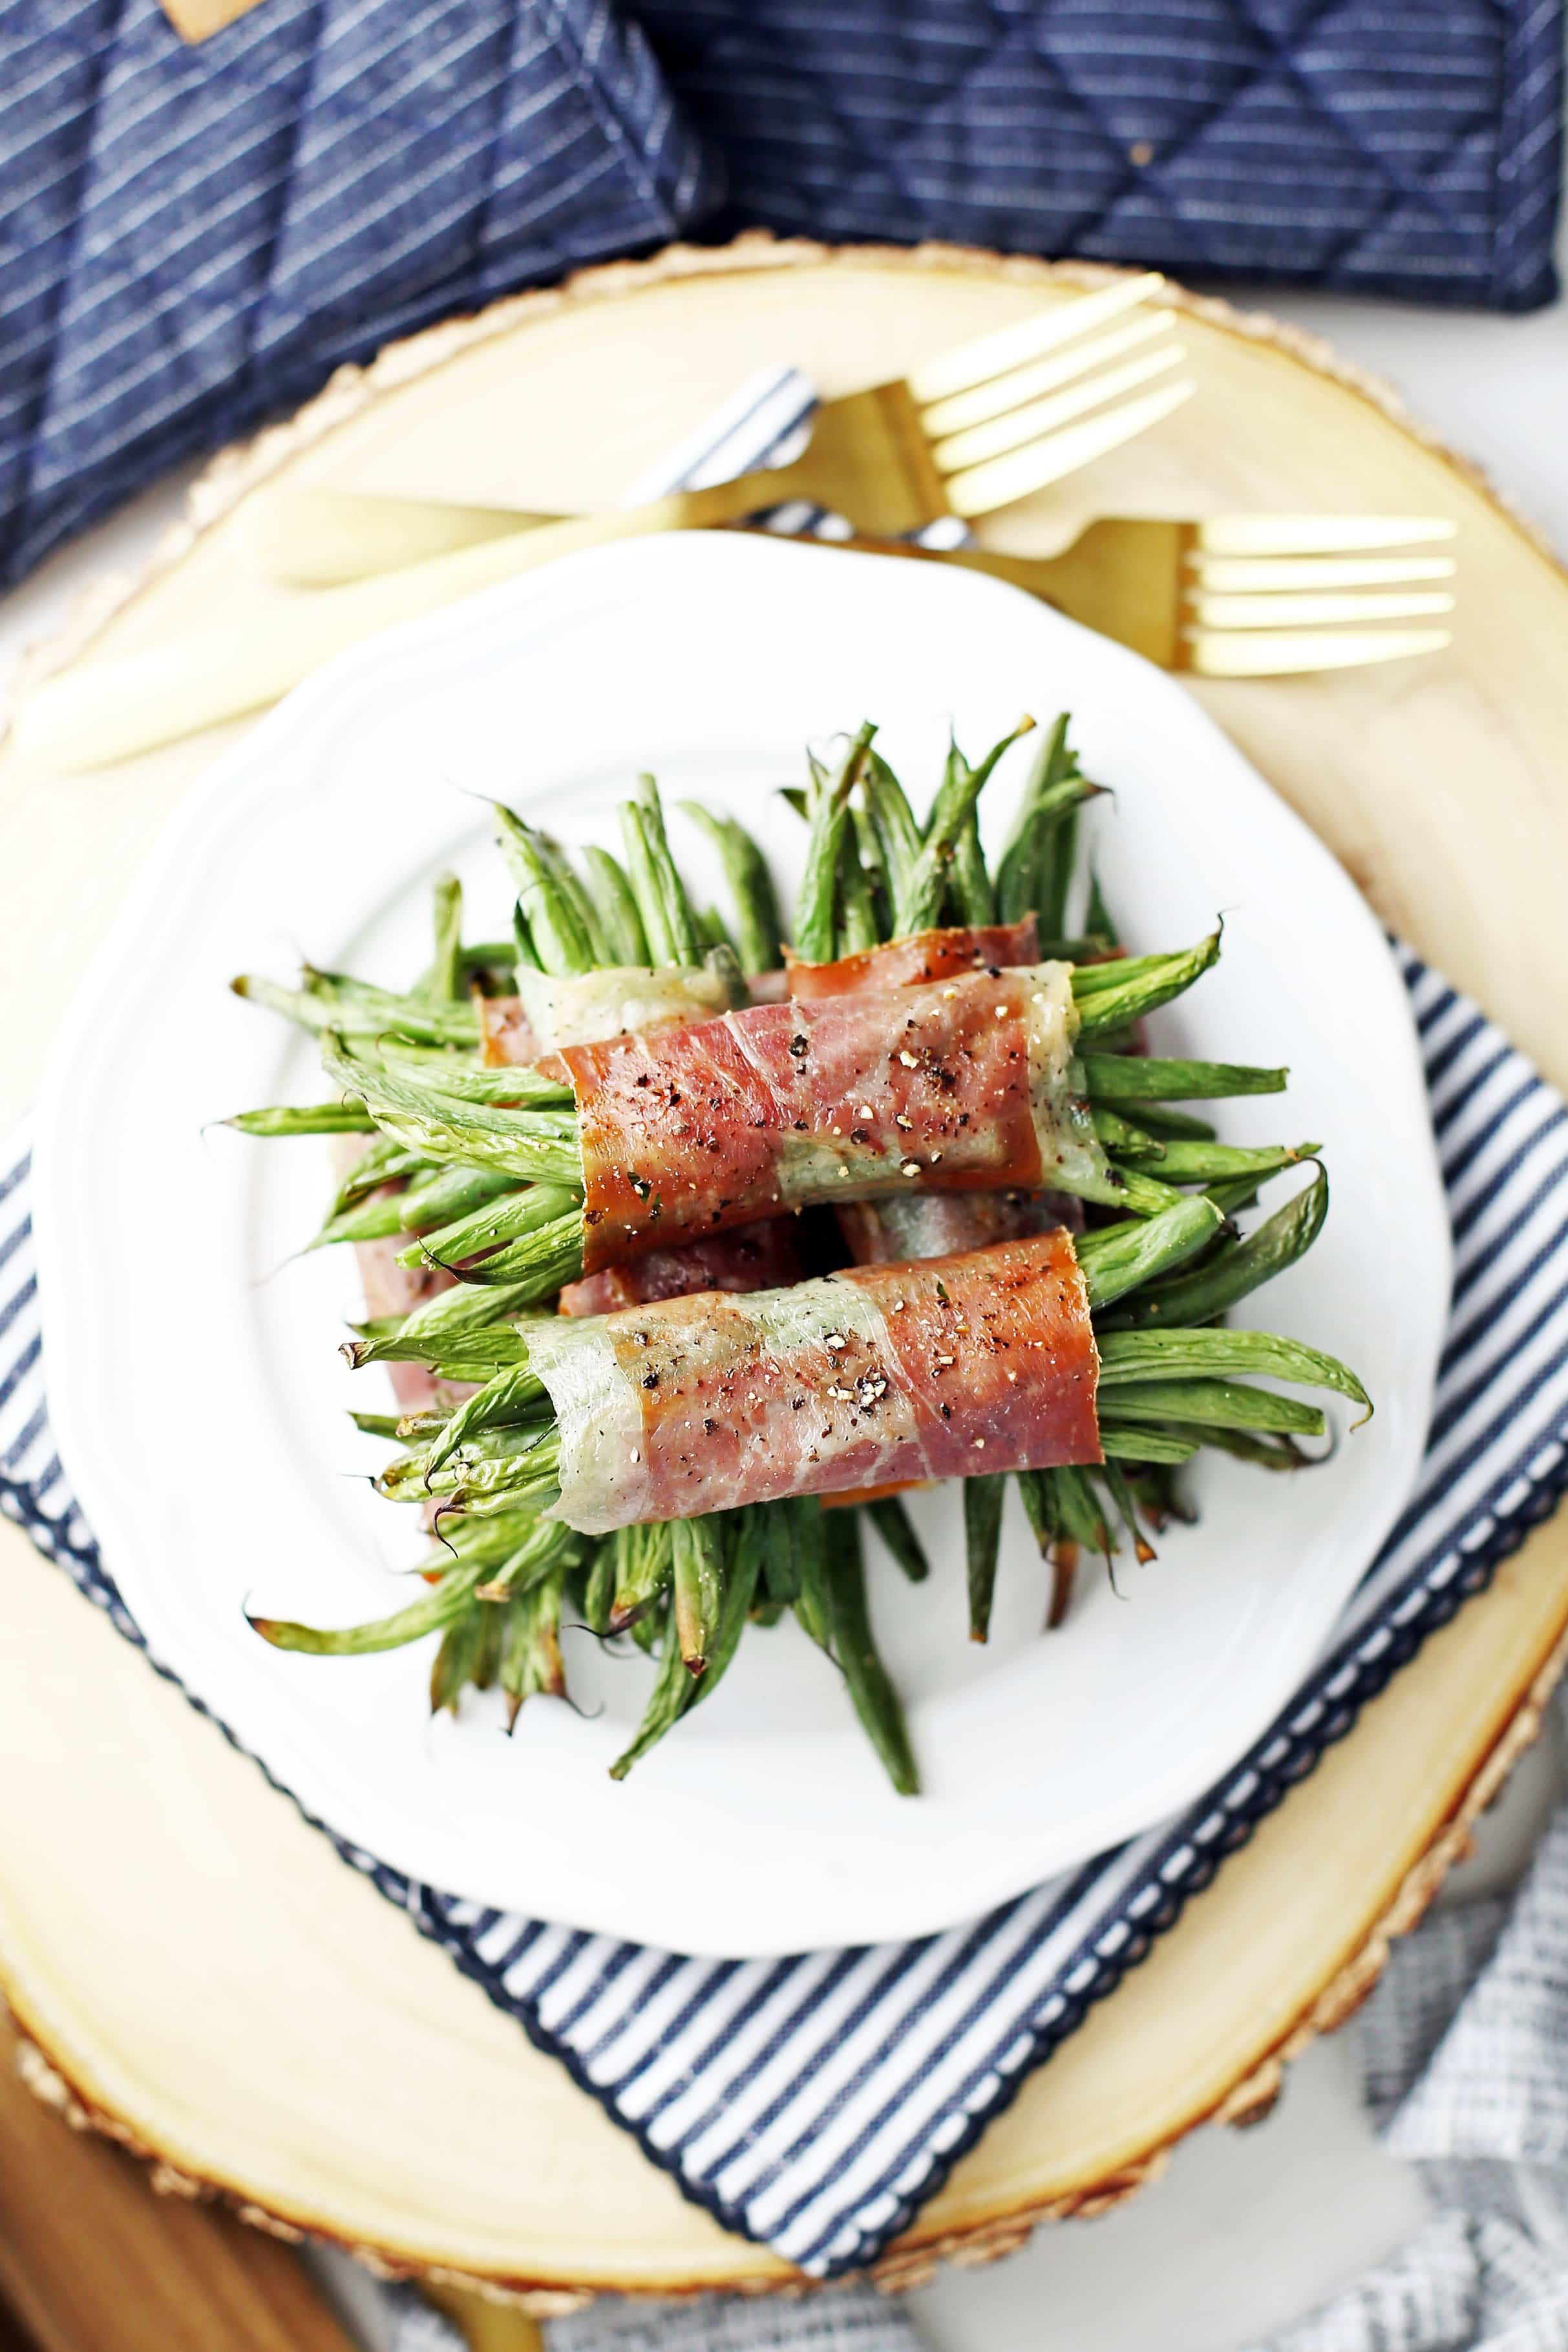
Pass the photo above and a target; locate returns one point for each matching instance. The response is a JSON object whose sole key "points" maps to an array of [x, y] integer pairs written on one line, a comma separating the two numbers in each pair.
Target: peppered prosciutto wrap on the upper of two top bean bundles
{"points": [[951, 1088]]}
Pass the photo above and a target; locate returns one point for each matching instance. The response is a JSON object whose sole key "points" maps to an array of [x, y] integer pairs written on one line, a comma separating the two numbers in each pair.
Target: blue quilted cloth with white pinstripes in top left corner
{"points": [[196, 236]]}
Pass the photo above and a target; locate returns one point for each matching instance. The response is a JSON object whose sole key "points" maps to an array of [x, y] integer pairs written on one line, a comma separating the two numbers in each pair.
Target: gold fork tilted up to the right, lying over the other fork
{"points": [[894, 460]]}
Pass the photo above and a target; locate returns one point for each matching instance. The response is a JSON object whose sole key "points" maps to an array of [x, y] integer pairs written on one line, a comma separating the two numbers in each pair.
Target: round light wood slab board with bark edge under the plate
{"points": [[196, 1965]]}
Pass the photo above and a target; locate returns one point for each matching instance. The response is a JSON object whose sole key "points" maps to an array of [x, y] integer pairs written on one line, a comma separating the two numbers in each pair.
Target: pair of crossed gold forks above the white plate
{"points": [[960, 436]]}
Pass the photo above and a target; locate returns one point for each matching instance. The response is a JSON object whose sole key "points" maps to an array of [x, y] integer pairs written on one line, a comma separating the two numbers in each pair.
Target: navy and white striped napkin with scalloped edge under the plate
{"points": [[817, 2102]]}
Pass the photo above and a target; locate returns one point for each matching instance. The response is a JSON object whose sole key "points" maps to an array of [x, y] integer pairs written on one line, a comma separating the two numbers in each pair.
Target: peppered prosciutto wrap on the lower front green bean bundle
{"points": [[873, 1377]]}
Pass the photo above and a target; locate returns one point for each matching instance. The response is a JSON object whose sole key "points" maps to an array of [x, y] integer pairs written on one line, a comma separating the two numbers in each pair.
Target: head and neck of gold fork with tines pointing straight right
{"points": [[1240, 596]]}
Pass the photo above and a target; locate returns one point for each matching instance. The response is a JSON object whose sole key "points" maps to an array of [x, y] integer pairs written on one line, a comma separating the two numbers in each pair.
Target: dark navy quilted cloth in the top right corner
{"points": [[1402, 147]]}
